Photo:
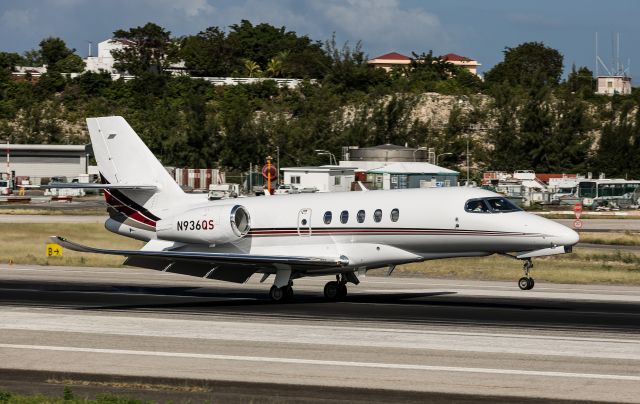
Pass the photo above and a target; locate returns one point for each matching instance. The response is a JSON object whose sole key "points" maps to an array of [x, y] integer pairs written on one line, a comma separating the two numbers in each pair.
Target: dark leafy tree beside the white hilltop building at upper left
{"points": [[147, 49]]}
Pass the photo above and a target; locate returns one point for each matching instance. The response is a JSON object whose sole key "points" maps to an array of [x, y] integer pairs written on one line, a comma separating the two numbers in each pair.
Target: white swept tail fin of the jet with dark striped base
{"points": [[123, 159]]}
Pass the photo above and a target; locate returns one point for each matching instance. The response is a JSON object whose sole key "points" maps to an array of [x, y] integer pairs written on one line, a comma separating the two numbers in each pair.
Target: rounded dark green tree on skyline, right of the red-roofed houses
{"points": [[528, 64]]}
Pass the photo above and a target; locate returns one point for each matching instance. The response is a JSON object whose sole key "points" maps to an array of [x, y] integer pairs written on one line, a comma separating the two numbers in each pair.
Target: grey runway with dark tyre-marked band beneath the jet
{"points": [[413, 338]]}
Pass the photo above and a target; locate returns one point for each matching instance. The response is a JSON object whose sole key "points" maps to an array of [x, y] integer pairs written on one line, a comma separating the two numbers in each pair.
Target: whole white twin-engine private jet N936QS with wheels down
{"points": [[293, 236]]}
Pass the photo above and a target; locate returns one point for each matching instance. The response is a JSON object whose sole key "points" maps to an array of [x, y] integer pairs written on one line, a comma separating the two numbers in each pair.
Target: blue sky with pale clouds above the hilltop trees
{"points": [[477, 29]]}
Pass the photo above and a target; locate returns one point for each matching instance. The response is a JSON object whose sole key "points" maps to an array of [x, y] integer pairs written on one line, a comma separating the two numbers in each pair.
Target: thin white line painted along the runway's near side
{"points": [[297, 361]]}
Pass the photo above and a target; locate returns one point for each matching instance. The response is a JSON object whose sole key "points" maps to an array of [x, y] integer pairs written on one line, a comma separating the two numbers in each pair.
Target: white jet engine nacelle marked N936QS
{"points": [[208, 225]]}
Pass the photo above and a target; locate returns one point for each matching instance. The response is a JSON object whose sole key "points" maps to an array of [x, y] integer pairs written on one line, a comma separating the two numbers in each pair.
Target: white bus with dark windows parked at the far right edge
{"points": [[596, 193]]}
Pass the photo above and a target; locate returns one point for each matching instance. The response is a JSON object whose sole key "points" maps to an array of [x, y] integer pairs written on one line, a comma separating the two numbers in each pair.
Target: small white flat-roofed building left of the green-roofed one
{"points": [[322, 178]]}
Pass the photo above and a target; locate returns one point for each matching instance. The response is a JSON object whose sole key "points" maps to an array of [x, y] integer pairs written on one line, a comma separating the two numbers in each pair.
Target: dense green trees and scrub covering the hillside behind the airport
{"points": [[523, 116]]}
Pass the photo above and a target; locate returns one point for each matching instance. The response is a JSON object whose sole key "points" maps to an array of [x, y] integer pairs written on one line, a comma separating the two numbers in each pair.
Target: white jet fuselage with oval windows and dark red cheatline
{"points": [[377, 228]]}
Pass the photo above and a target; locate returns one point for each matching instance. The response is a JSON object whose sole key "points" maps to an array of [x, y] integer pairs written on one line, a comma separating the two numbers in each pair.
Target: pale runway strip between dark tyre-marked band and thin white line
{"points": [[263, 332]]}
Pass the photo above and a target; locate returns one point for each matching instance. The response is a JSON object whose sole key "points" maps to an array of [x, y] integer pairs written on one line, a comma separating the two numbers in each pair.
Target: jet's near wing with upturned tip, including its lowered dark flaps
{"points": [[231, 267]]}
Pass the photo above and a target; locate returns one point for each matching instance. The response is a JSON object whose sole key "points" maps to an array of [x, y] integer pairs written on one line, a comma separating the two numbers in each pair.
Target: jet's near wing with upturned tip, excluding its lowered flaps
{"points": [[210, 257]]}
